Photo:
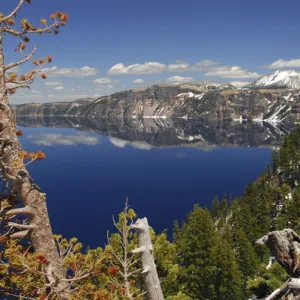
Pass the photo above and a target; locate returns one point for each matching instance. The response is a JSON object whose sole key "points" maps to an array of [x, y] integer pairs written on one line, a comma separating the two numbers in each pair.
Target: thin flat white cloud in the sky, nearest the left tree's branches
{"points": [[70, 72]]}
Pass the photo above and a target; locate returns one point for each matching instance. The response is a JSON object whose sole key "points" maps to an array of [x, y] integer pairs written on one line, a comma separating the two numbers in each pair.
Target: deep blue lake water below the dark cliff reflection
{"points": [[88, 175]]}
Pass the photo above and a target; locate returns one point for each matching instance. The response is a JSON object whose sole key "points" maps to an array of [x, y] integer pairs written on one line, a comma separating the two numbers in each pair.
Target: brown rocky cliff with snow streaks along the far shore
{"points": [[179, 101]]}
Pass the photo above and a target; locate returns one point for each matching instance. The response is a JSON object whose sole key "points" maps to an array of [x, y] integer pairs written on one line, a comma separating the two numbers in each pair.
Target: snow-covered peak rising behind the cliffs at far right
{"points": [[280, 79]]}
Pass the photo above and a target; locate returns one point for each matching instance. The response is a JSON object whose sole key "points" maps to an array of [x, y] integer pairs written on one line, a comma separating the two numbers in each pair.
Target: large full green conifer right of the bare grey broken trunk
{"points": [[197, 247]]}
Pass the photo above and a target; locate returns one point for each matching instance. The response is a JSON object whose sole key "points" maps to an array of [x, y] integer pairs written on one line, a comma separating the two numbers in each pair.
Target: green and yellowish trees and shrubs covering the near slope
{"points": [[213, 254]]}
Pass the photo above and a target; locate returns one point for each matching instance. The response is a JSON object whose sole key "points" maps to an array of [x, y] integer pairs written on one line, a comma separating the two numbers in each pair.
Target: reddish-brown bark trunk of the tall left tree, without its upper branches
{"points": [[39, 231]]}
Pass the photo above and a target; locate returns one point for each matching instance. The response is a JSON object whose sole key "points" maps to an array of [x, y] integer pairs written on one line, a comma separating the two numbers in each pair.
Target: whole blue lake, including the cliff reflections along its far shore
{"points": [[164, 167]]}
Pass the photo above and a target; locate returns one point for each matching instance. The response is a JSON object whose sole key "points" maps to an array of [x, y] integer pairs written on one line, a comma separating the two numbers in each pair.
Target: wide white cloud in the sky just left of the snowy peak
{"points": [[232, 72]]}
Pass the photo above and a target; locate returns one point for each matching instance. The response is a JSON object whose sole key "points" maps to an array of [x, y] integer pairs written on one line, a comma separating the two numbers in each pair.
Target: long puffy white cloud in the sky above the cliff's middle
{"points": [[146, 68]]}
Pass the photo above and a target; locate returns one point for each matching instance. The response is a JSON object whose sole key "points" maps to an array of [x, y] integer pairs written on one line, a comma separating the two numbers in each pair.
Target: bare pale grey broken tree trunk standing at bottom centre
{"points": [[151, 280]]}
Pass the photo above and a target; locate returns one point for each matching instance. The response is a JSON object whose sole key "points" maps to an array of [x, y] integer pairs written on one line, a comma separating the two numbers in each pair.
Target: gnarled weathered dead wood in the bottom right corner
{"points": [[284, 246]]}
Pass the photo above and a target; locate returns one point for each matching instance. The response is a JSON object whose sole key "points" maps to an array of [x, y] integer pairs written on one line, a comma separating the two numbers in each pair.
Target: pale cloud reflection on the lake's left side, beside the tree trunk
{"points": [[51, 139]]}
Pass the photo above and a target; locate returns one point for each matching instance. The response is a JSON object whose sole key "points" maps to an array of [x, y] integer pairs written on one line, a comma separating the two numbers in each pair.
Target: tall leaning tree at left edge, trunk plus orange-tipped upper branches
{"points": [[12, 165]]}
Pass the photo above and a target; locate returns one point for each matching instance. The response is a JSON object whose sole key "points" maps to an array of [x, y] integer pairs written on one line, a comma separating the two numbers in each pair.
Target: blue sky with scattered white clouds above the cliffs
{"points": [[114, 45]]}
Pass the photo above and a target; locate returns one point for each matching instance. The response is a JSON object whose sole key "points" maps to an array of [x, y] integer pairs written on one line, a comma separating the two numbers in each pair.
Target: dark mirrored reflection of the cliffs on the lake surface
{"points": [[170, 132]]}
